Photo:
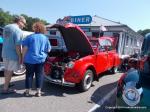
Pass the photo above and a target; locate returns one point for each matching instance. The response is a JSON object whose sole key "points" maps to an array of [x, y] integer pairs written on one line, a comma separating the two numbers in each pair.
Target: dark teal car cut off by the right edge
{"points": [[133, 89]]}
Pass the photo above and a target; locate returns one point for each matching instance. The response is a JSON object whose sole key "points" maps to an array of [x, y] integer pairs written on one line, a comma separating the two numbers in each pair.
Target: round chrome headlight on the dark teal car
{"points": [[131, 96]]}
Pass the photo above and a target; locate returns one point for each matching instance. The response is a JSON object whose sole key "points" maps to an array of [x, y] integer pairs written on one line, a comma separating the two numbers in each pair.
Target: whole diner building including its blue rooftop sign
{"points": [[128, 41]]}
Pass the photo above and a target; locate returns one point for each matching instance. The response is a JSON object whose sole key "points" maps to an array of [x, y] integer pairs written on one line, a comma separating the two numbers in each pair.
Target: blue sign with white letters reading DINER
{"points": [[85, 19]]}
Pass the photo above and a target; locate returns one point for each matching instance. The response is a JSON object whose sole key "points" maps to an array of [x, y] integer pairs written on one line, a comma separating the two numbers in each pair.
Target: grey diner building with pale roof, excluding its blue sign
{"points": [[129, 41]]}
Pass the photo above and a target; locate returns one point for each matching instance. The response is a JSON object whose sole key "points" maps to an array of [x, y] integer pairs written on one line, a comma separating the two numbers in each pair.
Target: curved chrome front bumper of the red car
{"points": [[59, 82]]}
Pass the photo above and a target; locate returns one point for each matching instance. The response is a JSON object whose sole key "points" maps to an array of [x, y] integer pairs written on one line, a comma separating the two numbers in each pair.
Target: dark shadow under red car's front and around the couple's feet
{"points": [[47, 90]]}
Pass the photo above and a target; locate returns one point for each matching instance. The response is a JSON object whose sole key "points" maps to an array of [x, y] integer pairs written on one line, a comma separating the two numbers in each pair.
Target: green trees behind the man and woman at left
{"points": [[7, 18]]}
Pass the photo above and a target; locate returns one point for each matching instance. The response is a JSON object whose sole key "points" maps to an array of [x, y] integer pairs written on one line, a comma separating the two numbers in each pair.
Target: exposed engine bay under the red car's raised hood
{"points": [[56, 66]]}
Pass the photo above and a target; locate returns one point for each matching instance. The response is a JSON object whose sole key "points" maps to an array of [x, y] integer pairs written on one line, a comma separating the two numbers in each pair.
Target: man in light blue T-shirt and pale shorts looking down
{"points": [[11, 51]]}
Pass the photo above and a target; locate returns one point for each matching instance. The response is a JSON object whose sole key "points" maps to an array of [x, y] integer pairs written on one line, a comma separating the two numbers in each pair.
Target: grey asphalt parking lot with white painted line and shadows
{"points": [[62, 99]]}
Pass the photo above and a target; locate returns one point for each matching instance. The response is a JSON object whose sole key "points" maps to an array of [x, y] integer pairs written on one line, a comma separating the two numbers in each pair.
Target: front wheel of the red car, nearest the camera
{"points": [[87, 81]]}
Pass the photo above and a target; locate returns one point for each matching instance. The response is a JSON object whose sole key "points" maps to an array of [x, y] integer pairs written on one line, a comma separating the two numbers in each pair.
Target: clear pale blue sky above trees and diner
{"points": [[133, 13]]}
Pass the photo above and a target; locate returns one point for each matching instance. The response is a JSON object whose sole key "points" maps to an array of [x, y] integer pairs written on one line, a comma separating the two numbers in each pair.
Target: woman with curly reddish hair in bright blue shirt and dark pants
{"points": [[35, 49]]}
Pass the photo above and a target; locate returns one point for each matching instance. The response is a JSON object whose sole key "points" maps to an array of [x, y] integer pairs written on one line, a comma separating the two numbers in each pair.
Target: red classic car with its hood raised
{"points": [[82, 60]]}
